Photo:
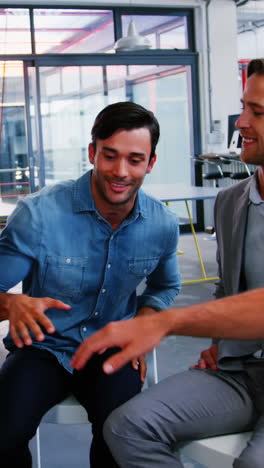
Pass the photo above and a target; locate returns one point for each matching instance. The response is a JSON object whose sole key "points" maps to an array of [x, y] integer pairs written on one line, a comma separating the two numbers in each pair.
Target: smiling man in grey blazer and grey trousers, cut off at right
{"points": [[220, 395]]}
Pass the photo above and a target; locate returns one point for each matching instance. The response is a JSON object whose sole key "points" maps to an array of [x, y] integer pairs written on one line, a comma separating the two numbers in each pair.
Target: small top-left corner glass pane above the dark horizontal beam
{"points": [[15, 31]]}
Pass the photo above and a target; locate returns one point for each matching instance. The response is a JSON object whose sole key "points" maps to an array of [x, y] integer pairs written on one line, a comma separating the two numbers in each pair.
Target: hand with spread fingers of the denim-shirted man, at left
{"points": [[26, 314]]}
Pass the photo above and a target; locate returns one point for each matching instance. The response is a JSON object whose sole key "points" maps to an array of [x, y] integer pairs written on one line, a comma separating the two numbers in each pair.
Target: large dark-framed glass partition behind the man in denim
{"points": [[49, 97]]}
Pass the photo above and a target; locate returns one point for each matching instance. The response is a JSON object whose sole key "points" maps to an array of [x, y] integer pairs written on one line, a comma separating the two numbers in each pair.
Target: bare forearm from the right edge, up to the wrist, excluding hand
{"points": [[240, 317]]}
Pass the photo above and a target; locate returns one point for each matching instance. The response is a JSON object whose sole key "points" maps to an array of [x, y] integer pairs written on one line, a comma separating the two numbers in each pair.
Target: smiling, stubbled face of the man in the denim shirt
{"points": [[120, 165]]}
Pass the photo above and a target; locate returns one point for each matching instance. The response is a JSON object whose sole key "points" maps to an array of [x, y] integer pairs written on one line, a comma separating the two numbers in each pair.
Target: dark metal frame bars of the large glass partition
{"points": [[146, 57]]}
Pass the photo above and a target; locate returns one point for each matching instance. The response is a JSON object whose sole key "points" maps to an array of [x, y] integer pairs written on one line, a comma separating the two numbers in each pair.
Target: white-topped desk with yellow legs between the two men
{"points": [[180, 192]]}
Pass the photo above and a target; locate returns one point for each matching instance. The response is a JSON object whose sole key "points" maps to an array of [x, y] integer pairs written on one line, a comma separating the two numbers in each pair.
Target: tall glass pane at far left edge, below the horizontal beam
{"points": [[14, 168]]}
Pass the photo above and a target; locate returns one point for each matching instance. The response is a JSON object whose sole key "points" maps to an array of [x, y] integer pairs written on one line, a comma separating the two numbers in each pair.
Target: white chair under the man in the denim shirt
{"points": [[69, 411]]}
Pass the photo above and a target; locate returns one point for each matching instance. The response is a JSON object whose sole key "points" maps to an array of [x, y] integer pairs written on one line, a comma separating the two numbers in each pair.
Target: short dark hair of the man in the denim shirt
{"points": [[125, 115]]}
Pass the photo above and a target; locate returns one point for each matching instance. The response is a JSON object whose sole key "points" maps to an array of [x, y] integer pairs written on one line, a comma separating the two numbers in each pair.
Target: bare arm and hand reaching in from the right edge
{"points": [[237, 317]]}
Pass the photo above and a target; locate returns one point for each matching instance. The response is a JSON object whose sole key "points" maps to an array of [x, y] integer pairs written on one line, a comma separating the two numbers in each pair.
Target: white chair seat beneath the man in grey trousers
{"points": [[217, 452]]}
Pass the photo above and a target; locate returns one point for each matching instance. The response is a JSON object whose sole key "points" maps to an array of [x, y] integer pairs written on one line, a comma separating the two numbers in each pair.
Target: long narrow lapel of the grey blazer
{"points": [[238, 235]]}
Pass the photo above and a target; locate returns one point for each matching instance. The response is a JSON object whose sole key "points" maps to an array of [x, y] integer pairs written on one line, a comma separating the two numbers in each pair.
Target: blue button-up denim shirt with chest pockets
{"points": [[58, 244]]}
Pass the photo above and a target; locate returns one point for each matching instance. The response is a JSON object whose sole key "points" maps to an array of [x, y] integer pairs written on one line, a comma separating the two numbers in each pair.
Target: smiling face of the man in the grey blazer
{"points": [[251, 121]]}
